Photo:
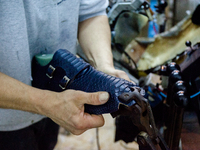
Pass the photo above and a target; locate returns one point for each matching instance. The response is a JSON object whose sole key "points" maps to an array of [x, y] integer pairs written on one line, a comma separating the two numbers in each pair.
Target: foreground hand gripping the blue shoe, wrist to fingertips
{"points": [[67, 110]]}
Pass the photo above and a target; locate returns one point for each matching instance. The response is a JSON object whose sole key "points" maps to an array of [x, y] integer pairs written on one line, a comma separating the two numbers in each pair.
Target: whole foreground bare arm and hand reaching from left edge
{"points": [[65, 108]]}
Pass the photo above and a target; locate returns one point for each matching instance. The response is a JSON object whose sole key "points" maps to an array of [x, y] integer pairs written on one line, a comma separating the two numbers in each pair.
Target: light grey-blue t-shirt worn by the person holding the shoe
{"points": [[29, 27]]}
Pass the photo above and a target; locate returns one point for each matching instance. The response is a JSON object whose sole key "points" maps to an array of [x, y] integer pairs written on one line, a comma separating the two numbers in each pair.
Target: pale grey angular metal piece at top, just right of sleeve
{"points": [[125, 5]]}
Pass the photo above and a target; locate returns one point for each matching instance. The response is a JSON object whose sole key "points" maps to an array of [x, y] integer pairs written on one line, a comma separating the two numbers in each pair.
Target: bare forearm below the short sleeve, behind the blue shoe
{"points": [[95, 40]]}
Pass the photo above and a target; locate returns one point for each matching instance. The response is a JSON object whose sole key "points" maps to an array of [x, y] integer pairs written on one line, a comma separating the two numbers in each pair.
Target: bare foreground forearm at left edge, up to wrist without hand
{"points": [[17, 95]]}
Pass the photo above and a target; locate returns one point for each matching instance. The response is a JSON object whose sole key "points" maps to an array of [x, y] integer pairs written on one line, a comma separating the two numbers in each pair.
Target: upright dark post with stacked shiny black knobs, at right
{"points": [[177, 99]]}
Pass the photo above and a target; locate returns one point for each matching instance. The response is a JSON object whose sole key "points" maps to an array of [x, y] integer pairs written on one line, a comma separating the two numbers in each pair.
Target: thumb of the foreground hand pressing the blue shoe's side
{"points": [[97, 98]]}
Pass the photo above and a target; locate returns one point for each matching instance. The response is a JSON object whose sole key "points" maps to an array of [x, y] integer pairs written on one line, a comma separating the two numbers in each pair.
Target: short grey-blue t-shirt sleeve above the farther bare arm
{"points": [[91, 8]]}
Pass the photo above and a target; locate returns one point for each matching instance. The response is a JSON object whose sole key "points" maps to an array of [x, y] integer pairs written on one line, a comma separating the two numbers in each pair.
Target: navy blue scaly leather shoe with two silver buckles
{"points": [[80, 75]]}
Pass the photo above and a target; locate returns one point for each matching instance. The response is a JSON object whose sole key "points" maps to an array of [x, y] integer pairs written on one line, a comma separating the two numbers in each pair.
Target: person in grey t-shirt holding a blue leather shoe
{"points": [[30, 27]]}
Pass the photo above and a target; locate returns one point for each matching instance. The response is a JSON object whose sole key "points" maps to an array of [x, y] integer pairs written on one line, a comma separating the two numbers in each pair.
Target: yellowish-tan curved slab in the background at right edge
{"points": [[169, 44]]}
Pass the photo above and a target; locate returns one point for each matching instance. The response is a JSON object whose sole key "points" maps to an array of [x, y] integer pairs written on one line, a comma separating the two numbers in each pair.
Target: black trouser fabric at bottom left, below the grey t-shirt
{"points": [[39, 136]]}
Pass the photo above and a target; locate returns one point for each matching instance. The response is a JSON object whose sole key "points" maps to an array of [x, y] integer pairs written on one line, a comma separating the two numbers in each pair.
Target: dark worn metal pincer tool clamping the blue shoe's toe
{"points": [[142, 117]]}
